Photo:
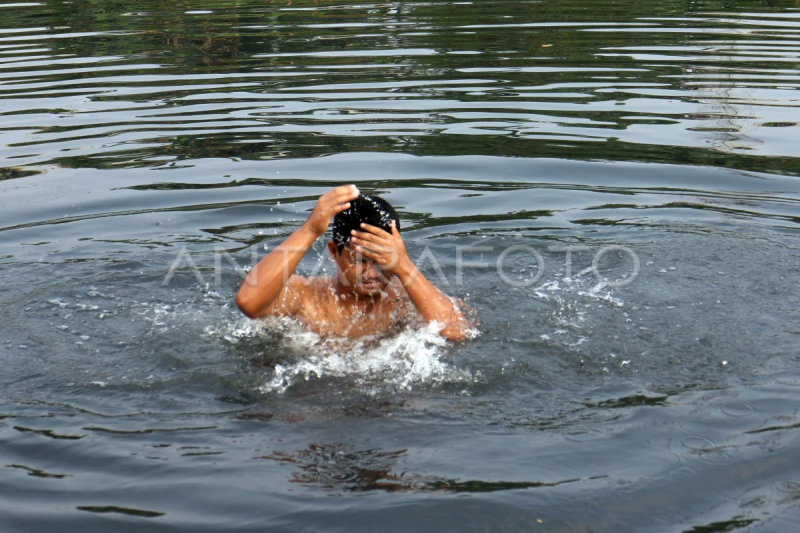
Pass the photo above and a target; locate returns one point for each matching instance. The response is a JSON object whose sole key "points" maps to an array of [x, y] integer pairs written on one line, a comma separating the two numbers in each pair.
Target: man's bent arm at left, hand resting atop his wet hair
{"points": [[264, 289]]}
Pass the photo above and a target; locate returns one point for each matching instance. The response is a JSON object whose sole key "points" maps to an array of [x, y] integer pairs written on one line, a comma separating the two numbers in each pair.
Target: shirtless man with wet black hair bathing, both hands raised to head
{"points": [[377, 286]]}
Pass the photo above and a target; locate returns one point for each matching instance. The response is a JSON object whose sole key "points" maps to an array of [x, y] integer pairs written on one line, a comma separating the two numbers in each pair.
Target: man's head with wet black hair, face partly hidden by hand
{"points": [[358, 273]]}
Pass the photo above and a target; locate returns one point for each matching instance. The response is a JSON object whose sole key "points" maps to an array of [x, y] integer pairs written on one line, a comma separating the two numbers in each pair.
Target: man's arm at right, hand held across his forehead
{"points": [[389, 252]]}
